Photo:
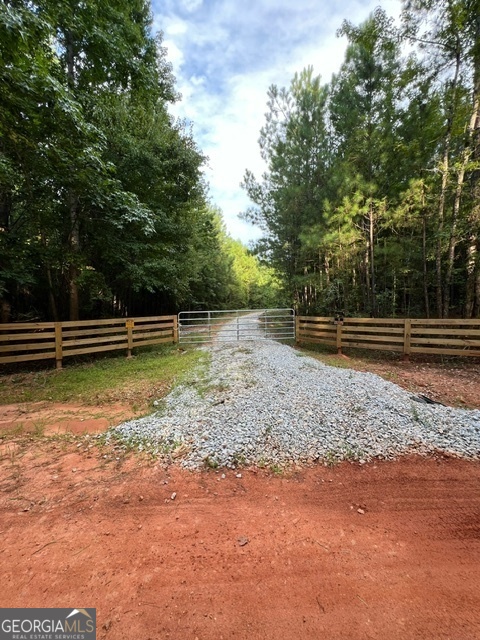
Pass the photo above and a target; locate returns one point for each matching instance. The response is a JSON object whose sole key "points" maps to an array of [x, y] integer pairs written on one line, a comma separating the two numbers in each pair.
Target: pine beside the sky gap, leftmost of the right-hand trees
{"points": [[294, 144]]}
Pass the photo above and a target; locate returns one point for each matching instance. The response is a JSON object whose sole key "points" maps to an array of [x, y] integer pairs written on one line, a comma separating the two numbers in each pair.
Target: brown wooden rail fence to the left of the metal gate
{"points": [[23, 342]]}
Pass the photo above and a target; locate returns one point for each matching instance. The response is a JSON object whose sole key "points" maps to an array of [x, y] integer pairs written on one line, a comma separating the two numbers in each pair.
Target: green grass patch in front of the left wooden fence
{"points": [[111, 379]]}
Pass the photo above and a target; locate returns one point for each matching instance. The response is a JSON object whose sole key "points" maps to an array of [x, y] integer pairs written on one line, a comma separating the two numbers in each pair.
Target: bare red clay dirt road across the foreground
{"points": [[381, 551]]}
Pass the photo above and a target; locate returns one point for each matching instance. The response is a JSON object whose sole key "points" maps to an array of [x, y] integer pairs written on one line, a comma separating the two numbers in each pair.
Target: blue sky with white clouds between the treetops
{"points": [[226, 54]]}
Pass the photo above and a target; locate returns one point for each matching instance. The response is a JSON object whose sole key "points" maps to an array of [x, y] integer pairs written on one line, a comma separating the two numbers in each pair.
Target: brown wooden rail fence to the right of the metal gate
{"points": [[445, 337]]}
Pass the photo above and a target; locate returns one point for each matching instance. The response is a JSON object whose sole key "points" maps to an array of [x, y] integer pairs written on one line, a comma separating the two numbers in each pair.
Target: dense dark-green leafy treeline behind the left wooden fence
{"points": [[103, 208]]}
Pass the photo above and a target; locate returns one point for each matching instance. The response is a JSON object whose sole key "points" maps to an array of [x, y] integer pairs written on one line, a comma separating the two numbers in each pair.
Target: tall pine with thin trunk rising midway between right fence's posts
{"points": [[364, 109]]}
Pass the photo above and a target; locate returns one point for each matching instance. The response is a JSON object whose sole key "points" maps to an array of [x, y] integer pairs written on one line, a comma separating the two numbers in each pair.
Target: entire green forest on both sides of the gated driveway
{"points": [[369, 204]]}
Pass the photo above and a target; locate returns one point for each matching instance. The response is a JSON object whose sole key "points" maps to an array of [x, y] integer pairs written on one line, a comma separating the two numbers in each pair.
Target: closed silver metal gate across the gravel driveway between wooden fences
{"points": [[235, 325]]}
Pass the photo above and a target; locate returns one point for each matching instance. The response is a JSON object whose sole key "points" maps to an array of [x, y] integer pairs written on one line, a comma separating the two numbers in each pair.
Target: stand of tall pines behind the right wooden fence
{"points": [[370, 203]]}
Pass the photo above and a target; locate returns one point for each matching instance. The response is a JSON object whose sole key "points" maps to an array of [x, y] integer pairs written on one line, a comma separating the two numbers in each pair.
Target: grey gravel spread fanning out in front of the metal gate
{"points": [[264, 403]]}
